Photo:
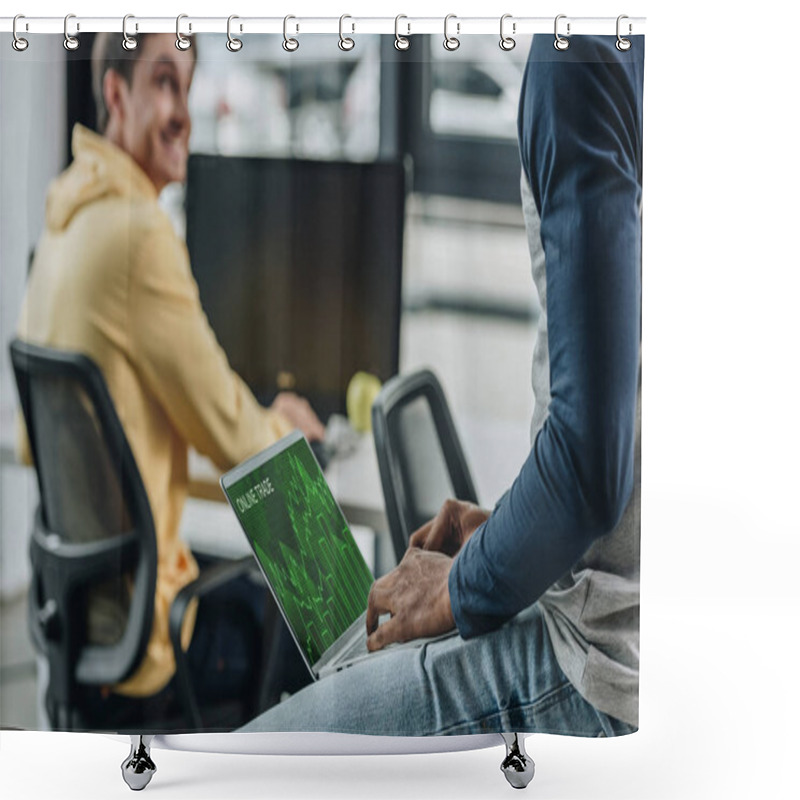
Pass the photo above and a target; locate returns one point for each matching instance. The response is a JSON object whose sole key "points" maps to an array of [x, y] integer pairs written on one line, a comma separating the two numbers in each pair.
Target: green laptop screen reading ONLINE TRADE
{"points": [[306, 550]]}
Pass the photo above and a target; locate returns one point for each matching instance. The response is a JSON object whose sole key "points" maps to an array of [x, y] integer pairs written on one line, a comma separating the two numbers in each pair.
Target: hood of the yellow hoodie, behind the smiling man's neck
{"points": [[99, 169]]}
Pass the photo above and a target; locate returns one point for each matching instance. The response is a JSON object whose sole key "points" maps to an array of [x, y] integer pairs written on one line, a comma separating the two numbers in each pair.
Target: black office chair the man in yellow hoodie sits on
{"points": [[93, 546]]}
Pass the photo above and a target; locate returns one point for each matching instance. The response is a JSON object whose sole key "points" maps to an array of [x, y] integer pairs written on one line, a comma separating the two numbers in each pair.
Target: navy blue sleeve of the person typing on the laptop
{"points": [[580, 127]]}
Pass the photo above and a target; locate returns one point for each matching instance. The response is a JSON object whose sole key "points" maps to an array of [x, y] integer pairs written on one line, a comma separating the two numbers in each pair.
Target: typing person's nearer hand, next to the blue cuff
{"points": [[415, 593]]}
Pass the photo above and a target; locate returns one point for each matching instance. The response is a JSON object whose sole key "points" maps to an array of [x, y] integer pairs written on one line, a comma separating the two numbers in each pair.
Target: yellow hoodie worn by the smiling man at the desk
{"points": [[112, 280]]}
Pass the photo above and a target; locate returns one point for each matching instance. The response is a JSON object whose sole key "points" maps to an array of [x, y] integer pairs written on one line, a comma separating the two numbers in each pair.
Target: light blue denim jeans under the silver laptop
{"points": [[506, 680]]}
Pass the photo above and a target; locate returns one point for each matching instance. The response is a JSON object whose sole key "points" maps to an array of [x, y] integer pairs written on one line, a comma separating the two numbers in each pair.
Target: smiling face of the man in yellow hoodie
{"points": [[154, 113]]}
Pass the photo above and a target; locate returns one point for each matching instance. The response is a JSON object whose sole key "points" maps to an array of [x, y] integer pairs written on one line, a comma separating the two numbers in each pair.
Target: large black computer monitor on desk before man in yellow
{"points": [[299, 268]]}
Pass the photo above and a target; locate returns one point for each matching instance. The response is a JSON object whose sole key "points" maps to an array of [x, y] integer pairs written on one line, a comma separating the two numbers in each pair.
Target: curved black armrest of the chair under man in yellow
{"points": [[209, 579]]}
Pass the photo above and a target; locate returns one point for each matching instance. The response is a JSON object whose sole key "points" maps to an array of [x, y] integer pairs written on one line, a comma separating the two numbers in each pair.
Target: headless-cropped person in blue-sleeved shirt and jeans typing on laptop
{"points": [[544, 591]]}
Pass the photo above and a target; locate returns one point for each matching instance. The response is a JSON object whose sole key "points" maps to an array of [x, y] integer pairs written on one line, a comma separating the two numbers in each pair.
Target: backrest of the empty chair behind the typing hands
{"points": [[420, 457]]}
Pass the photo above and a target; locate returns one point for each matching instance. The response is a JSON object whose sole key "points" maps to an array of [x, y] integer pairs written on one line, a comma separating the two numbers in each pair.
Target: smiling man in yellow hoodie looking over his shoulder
{"points": [[111, 279]]}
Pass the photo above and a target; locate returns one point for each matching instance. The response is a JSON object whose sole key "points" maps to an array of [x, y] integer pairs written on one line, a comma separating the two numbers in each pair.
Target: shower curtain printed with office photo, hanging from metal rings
{"points": [[254, 235]]}
